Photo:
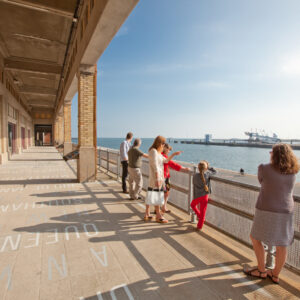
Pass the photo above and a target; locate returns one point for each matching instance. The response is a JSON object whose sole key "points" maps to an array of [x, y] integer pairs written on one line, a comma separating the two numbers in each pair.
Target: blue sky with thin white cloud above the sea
{"points": [[186, 68]]}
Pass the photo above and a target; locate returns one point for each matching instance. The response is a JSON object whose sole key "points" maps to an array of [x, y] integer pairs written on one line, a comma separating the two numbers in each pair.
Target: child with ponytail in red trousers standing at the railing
{"points": [[202, 189]]}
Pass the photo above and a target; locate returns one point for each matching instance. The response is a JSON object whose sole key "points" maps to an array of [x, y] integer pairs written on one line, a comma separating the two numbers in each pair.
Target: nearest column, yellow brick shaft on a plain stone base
{"points": [[86, 166]]}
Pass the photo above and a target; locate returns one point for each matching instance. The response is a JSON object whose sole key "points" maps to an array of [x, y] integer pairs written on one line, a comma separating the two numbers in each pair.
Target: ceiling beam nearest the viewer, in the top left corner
{"points": [[63, 8]]}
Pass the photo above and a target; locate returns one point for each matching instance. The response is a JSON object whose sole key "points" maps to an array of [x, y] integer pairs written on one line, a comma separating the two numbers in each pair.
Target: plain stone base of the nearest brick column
{"points": [[86, 168]]}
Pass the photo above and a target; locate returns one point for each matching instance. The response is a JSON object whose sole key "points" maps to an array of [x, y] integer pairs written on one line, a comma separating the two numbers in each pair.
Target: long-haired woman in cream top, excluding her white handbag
{"points": [[156, 173]]}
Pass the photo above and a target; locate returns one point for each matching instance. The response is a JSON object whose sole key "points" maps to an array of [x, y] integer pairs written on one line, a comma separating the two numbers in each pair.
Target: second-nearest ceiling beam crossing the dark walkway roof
{"points": [[32, 66]]}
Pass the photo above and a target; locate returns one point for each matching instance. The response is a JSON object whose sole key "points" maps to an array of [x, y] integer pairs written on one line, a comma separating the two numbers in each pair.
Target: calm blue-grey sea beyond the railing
{"points": [[223, 157]]}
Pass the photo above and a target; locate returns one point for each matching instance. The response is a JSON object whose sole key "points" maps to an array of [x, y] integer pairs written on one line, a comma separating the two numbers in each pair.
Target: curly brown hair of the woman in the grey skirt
{"points": [[284, 160]]}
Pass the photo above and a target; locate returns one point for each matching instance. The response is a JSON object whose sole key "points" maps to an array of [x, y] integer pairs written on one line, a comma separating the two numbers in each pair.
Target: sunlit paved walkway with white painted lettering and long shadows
{"points": [[63, 240]]}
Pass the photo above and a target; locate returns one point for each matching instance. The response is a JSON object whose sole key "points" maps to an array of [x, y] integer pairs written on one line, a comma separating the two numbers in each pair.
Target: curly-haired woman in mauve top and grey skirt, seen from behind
{"points": [[273, 219]]}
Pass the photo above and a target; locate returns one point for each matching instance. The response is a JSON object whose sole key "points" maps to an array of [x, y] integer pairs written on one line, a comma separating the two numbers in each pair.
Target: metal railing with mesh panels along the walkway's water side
{"points": [[231, 205]]}
